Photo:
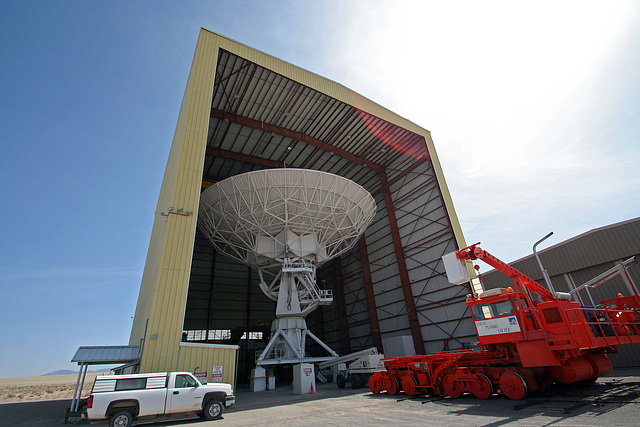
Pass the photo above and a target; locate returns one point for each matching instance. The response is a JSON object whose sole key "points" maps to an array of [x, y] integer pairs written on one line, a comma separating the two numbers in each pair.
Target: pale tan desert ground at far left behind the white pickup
{"points": [[48, 387]]}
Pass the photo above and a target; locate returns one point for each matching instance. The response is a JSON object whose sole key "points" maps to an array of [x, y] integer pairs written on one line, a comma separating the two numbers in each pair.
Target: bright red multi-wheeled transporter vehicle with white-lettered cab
{"points": [[528, 337]]}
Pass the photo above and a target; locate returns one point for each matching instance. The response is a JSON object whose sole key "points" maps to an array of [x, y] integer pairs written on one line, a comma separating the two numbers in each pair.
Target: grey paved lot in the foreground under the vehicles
{"points": [[613, 401]]}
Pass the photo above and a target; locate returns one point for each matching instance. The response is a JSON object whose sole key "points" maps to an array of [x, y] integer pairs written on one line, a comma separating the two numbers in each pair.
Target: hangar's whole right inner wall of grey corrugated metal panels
{"points": [[426, 235]]}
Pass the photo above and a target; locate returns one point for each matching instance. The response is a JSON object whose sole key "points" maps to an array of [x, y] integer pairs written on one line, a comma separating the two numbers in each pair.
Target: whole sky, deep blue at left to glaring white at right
{"points": [[534, 108]]}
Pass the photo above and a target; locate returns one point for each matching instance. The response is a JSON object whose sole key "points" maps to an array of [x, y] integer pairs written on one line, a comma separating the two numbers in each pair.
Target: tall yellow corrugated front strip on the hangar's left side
{"points": [[163, 293]]}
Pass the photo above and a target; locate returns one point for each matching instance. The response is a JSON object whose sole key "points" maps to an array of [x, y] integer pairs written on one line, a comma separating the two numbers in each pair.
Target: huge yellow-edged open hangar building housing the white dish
{"points": [[242, 111]]}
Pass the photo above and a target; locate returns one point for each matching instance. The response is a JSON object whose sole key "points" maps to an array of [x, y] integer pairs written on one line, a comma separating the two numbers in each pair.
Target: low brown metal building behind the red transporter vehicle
{"points": [[575, 261]]}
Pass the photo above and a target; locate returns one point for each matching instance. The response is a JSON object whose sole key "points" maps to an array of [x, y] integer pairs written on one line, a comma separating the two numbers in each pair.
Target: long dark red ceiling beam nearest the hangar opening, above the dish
{"points": [[288, 133]]}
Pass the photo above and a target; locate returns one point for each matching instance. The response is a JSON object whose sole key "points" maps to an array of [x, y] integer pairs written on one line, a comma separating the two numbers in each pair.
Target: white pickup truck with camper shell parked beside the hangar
{"points": [[123, 398]]}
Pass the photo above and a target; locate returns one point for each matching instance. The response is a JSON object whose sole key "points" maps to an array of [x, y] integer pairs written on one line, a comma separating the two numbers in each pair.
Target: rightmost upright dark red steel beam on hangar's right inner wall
{"points": [[414, 325]]}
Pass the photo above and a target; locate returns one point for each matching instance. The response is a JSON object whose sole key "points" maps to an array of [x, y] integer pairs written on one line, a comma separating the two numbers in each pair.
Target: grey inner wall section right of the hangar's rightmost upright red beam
{"points": [[427, 235]]}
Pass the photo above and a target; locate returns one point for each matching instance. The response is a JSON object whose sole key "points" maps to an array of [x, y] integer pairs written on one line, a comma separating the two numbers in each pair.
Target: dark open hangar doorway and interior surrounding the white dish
{"points": [[392, 283]]}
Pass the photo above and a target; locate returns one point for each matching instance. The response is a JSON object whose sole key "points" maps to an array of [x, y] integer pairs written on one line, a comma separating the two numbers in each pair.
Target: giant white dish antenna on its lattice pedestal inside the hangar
{"points": [[285, 223]]}
